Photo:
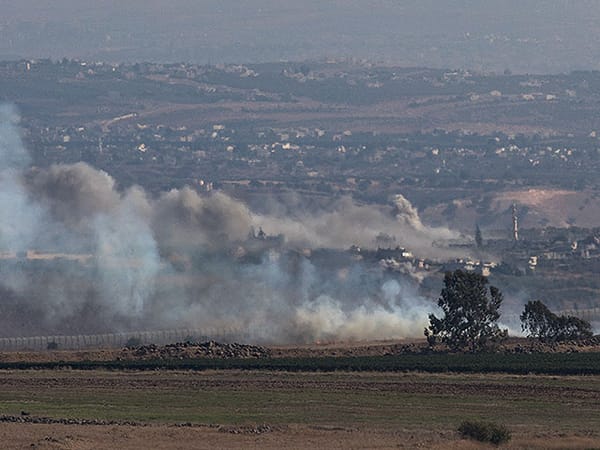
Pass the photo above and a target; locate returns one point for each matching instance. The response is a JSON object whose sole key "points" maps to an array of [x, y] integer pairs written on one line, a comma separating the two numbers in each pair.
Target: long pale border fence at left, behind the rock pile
{"points": [[119, 340]]}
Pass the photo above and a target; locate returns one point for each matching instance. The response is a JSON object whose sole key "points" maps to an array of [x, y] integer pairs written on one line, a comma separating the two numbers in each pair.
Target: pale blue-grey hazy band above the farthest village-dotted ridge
{"points": [[520, 35]]}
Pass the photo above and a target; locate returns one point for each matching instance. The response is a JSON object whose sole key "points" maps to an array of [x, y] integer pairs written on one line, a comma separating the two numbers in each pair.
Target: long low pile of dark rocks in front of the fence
{"points": [[187, 350]]}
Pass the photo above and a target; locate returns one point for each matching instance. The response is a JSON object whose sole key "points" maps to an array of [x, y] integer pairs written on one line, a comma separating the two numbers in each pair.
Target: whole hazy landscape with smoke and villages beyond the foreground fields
{"points": [[293, 170]]}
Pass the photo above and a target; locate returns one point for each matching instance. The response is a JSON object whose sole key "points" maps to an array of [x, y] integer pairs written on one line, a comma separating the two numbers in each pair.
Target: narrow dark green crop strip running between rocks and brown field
{"points": [[511, 363]]}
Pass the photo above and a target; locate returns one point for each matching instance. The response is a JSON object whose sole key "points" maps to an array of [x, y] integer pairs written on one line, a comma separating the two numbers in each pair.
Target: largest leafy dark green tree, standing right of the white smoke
{"points": [[471, 312]]}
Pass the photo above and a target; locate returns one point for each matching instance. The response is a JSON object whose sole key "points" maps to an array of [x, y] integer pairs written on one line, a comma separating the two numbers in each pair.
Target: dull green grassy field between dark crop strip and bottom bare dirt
{"points": [[386, 401]]}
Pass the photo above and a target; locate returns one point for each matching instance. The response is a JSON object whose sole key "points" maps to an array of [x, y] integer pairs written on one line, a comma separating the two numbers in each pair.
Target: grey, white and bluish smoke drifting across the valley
{"points": [[123, 261]]}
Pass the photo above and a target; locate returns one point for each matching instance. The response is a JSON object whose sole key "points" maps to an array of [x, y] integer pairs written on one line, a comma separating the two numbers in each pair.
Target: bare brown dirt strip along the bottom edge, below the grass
{"points": [[296, 437]]}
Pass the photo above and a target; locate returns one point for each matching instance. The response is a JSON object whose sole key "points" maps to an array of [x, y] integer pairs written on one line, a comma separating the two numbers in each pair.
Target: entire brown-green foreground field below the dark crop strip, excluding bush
{"points": [[255, 409]]}
